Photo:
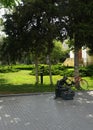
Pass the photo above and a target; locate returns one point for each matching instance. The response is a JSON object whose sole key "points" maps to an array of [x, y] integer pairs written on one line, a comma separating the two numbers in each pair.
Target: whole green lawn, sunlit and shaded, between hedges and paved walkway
{"points": [[23, 82]]}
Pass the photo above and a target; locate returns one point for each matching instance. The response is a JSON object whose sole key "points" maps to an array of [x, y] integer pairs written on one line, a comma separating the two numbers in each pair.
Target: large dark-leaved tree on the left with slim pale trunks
{"points": [[32, 28]]}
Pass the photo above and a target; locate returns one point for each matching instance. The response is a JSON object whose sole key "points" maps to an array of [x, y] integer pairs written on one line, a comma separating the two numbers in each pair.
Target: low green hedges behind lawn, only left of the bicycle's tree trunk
{"points": [[57, 69]]}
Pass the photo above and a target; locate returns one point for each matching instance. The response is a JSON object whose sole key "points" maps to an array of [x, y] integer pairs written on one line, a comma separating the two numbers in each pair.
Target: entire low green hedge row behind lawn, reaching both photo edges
{"points": [[57, 69]]}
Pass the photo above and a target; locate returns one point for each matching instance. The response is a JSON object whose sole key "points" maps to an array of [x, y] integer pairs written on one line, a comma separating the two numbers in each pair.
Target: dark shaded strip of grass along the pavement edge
{"points": [[25, 88]]}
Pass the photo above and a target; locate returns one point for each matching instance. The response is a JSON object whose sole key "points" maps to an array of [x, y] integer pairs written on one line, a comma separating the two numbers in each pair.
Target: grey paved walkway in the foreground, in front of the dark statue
{"points": [[42, 112]]}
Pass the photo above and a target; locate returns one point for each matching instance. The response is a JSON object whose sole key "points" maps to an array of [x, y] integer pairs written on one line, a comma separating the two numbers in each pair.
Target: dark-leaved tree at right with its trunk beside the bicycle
{"points": [[78, 24]]}
